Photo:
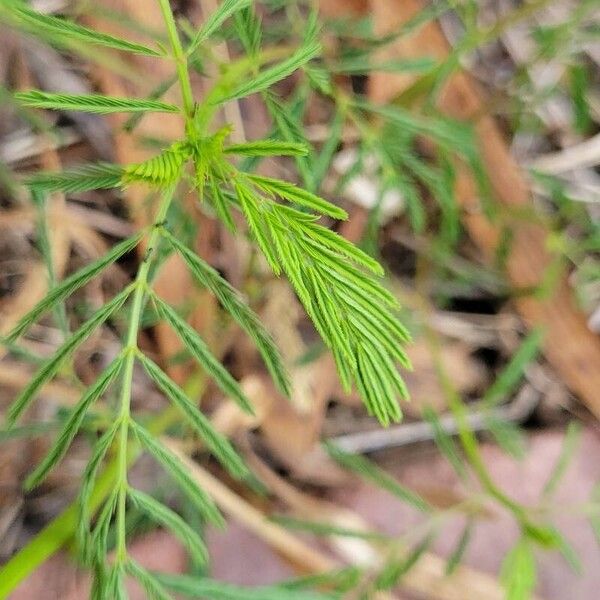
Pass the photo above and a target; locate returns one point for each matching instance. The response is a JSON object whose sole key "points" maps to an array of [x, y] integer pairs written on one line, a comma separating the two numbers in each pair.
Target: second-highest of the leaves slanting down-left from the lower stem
{"points": [[50, 368]]}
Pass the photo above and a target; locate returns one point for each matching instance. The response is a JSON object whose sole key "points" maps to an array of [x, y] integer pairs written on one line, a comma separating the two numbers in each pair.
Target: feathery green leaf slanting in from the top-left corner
{"points": [[39, 23]]}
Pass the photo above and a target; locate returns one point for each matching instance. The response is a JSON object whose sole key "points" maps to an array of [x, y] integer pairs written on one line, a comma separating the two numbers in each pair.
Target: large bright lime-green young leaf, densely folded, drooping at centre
{"points": [[346, 305]]}
